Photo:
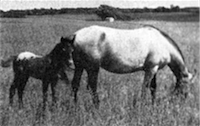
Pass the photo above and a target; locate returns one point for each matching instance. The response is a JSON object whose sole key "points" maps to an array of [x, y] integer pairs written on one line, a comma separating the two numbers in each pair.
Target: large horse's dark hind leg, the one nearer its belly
{"points": [[92, 82]]}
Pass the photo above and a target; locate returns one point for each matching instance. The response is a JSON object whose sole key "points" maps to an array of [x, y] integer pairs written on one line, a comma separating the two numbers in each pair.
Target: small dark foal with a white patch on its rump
{"points": [[47, 68]]}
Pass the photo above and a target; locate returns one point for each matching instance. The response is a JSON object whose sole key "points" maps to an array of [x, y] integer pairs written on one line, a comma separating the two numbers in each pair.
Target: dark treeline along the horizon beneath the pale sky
{"points": [[102, 11]]}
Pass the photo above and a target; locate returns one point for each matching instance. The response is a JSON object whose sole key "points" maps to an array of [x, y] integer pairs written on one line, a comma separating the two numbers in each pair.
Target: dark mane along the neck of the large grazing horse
{"points": [[169, 38]]}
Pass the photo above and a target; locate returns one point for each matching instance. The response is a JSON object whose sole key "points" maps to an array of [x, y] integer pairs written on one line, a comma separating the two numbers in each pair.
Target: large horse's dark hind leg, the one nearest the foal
{"points": [[76, 81]]}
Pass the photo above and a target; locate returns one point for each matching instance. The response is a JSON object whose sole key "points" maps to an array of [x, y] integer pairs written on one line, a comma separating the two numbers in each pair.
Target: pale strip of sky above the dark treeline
{"points": [[6, 5]]}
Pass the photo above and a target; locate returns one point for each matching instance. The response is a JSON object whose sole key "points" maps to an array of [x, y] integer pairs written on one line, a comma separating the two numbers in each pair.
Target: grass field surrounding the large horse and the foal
{"points": [[118, 93]]}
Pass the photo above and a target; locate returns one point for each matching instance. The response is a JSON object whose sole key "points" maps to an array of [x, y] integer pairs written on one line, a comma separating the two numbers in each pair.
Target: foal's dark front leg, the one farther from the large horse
{"points": [[45, 86]]}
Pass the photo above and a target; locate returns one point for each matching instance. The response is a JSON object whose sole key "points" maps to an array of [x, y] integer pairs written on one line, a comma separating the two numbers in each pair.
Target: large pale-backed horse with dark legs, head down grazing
{"points": [[122, 51]]}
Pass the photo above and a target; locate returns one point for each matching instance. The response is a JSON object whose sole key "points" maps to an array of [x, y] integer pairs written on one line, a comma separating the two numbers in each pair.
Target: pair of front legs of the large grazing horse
{"points": [[149, 75]]}
